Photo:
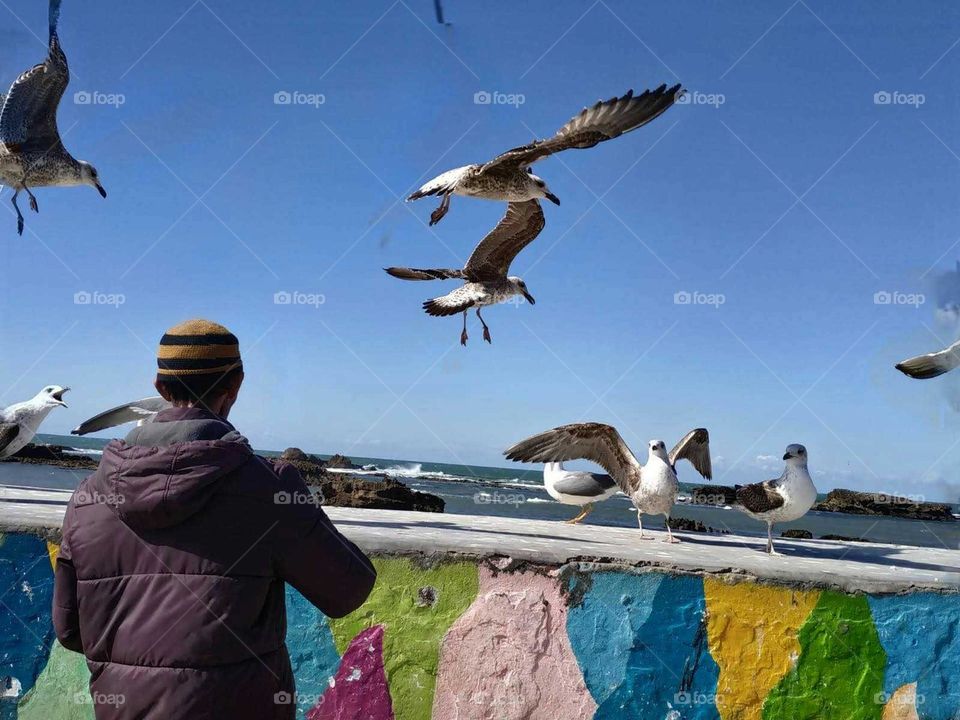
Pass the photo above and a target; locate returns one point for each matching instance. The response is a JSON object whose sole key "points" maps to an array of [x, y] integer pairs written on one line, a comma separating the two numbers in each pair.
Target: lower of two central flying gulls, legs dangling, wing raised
{"points": [[485, 273]]}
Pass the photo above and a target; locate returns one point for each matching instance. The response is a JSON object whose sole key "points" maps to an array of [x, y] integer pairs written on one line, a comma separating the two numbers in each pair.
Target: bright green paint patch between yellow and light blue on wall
{"points": [[839, 673]]}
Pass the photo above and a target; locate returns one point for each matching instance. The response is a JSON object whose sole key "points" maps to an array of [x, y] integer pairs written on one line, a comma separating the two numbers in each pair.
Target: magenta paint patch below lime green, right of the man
{"points": [[359, 690]]}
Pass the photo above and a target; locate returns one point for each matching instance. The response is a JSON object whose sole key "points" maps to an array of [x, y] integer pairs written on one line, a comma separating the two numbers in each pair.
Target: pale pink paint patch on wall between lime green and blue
{"points": [[508, 657]]}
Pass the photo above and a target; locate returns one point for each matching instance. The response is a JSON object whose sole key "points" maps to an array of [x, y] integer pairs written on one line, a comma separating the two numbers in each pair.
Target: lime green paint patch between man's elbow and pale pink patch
{"points": [[416, 608]]}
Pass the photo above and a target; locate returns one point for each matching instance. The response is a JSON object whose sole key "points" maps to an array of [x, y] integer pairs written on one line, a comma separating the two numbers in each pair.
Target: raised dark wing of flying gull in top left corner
{"points": [[29, 115]]}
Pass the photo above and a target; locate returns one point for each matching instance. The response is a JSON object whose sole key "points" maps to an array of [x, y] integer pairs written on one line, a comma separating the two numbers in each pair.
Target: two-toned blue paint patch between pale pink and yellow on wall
{"points": [[641, 643]]}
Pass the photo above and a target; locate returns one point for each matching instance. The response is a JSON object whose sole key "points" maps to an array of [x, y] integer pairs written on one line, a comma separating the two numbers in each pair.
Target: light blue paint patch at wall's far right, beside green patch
{"points": [[921, 635]]}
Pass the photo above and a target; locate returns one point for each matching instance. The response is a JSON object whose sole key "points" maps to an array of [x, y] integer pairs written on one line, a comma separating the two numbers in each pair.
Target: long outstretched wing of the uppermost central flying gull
{"points": [[603, 121]]}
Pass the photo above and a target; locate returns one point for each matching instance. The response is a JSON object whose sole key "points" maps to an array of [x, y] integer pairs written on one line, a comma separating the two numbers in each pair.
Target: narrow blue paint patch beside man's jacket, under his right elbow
{"points": [[313, 654]]}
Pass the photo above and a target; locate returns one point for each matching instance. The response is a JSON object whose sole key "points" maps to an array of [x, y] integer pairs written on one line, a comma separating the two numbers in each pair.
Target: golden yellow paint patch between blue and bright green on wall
{"points": [[752, 631]]}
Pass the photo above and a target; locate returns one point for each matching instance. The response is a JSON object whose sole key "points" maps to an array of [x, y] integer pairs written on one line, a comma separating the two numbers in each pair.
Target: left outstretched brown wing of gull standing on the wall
{"points": [[591, 441]]}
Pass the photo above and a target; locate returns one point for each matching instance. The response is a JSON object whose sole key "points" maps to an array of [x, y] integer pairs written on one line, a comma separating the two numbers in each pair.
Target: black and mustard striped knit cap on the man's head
{"points": [[197, 347]]}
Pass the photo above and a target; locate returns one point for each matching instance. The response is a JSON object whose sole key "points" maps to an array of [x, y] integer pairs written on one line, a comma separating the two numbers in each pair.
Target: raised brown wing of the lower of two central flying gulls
{"points": [[519, 226]]}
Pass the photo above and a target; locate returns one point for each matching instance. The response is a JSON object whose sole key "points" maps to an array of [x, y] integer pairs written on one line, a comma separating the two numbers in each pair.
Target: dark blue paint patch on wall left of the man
{"points": [[26, 597]]}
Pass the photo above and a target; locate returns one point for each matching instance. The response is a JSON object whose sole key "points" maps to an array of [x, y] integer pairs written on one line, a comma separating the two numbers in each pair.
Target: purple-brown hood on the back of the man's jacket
{"points": [[166, 471]]}
